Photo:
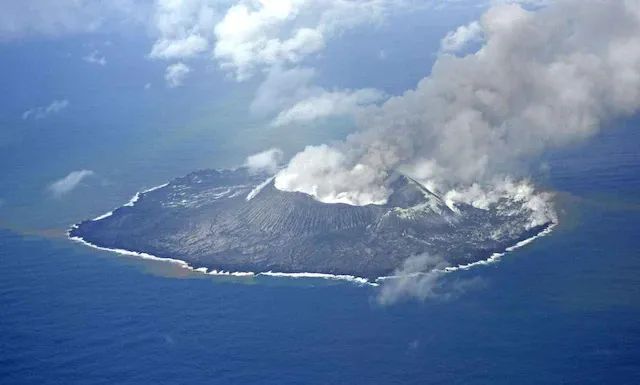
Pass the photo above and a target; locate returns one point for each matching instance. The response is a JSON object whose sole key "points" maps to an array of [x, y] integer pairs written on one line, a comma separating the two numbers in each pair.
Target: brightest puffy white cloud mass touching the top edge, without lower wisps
{"points": [[253, 35]]}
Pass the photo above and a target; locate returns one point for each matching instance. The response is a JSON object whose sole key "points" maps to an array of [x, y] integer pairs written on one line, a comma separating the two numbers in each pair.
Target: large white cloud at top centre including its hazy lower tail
{"points": [[279, 38]]}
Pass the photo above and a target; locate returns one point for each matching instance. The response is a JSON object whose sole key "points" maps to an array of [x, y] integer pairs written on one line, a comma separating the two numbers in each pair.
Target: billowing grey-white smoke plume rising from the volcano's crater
{"points": [[541, 79]]}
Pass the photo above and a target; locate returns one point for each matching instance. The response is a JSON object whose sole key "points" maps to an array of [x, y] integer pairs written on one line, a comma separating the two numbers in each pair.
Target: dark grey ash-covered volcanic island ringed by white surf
{"points": [[237, 221]]}
